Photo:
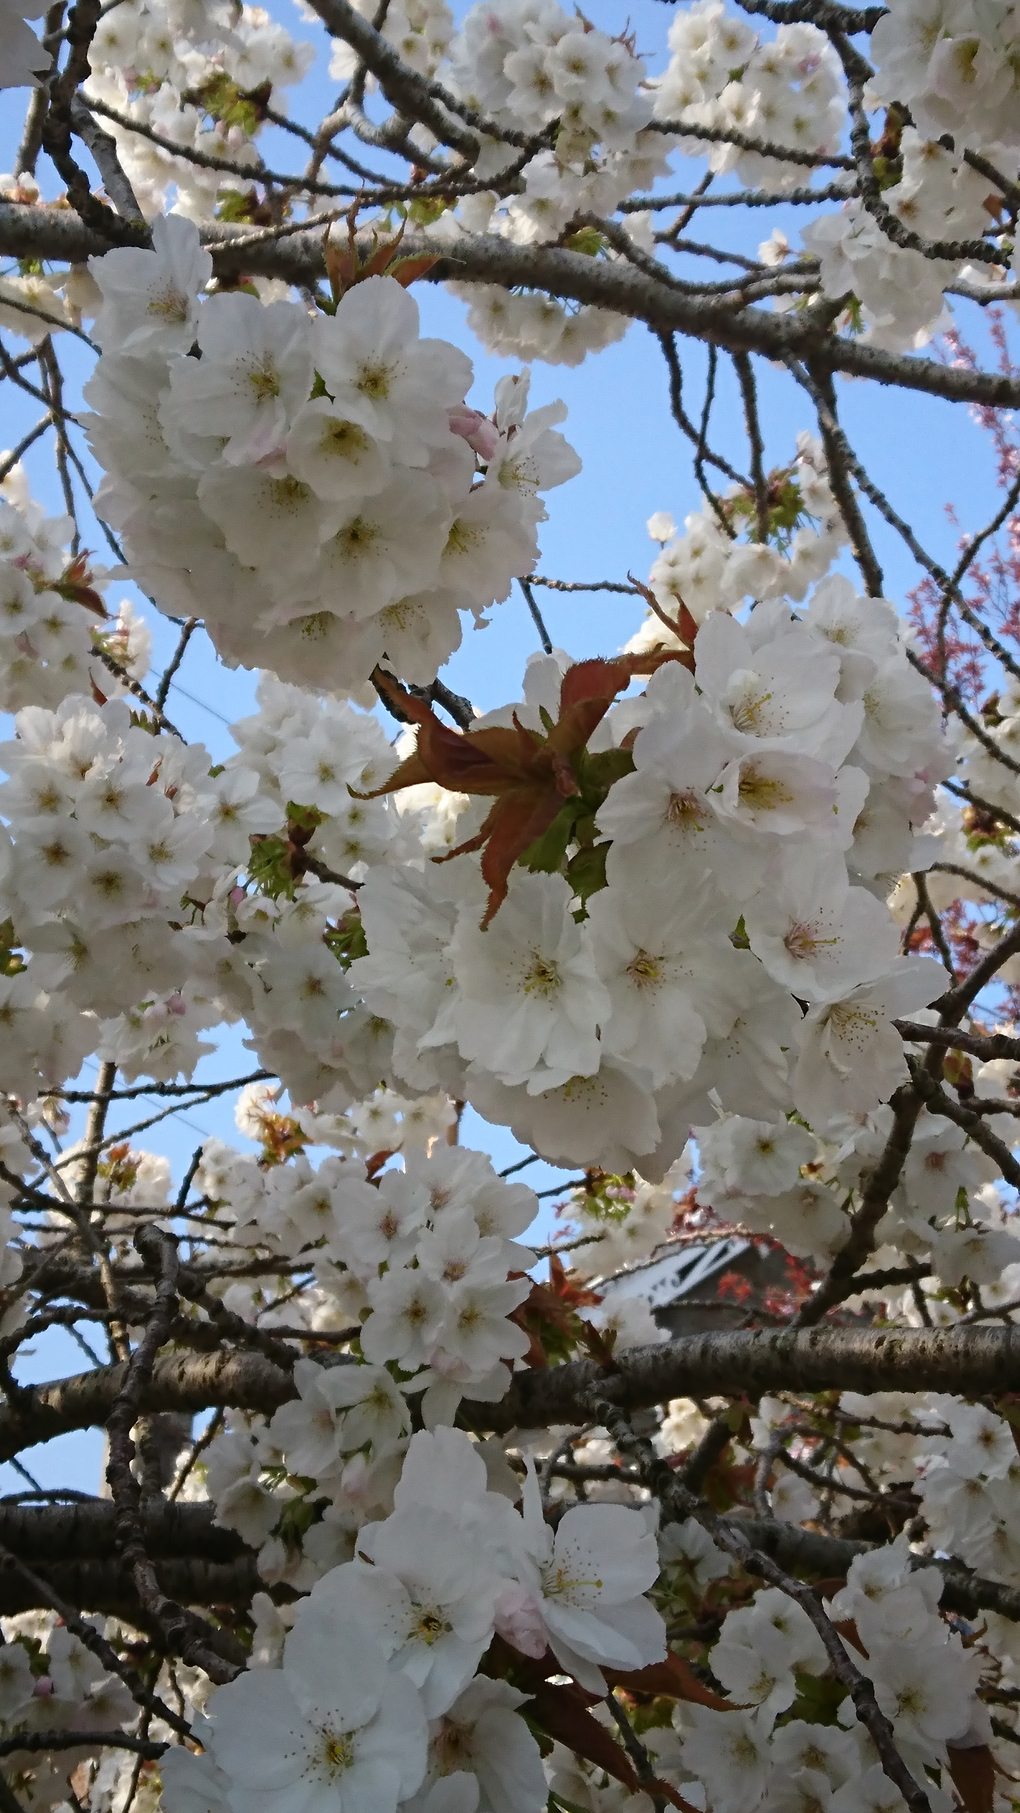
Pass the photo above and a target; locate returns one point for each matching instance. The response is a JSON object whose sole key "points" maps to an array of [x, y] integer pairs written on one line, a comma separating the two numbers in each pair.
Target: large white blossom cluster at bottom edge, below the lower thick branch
{"points": [[372, 1698]]}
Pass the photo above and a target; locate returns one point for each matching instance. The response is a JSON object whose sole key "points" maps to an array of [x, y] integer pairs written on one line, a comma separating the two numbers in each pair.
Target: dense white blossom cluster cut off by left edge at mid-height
{"points": [[111, 826]]}
